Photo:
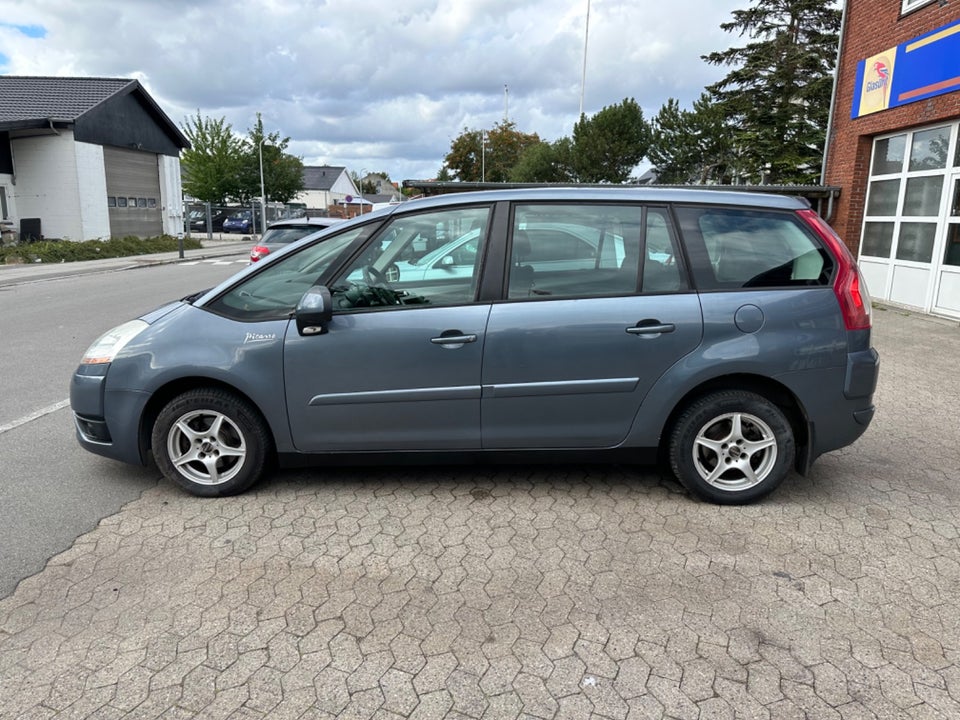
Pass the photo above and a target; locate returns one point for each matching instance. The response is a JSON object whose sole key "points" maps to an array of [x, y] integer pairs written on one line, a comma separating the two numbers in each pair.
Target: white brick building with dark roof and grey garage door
{"points": [[87, 158]]}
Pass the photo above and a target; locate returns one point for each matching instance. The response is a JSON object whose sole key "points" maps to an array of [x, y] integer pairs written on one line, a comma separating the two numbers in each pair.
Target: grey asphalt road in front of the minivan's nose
{"points": [[52, 491]]}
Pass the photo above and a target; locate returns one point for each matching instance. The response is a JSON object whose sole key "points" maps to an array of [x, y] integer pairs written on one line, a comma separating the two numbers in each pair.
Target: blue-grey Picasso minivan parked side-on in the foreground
{"points": [[724, 333]]}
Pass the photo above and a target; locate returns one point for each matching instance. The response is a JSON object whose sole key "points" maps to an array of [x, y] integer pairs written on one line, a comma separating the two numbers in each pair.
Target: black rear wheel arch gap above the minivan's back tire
{"points": [[774, 391]]}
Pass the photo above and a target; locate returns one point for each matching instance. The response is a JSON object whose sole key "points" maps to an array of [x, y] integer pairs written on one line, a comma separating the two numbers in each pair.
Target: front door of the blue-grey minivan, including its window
{"points": [[398, 368]]}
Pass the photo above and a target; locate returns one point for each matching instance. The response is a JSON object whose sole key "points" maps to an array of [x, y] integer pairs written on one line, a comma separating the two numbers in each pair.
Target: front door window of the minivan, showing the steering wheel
{"points": [[425, 259]]}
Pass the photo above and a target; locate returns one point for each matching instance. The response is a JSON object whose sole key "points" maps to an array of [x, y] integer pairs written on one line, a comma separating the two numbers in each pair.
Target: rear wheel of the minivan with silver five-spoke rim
{"points": [[732, 447]]}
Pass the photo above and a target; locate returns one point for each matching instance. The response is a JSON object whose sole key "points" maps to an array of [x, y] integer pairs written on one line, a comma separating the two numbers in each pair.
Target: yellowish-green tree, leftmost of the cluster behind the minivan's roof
{"points": [[477, 155]]}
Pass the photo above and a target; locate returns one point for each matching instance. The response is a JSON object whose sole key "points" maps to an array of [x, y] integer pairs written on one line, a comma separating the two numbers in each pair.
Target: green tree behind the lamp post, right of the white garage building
{"points": [[282, 172]]}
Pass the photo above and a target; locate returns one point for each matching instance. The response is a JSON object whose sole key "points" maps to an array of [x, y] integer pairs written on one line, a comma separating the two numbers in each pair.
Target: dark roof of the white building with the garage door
{"points": [[28, 102]]}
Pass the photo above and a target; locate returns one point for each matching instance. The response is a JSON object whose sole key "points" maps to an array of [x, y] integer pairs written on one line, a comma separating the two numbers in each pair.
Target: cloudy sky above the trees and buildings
{"points": [[377, 86]]}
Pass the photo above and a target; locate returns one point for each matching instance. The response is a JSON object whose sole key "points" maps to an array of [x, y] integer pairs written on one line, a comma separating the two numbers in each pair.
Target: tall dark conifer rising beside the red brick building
{"points": [[777, 97]]}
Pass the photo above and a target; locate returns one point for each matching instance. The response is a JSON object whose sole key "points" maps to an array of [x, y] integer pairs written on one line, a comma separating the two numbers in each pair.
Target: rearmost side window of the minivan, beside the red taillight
{"points": [[733, 248]]}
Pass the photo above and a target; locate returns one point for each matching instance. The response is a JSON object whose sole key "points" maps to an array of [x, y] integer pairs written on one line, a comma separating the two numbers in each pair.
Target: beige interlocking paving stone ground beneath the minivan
{"points": [[509, 592]]}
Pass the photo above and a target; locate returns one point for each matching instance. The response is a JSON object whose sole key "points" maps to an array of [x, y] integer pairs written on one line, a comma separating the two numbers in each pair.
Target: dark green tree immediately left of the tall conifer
{"points": [[691, 146]]}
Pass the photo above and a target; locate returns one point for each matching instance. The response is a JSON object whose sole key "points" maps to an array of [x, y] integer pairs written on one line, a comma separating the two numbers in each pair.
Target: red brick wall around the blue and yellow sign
{"points": [[873, 26]]}
